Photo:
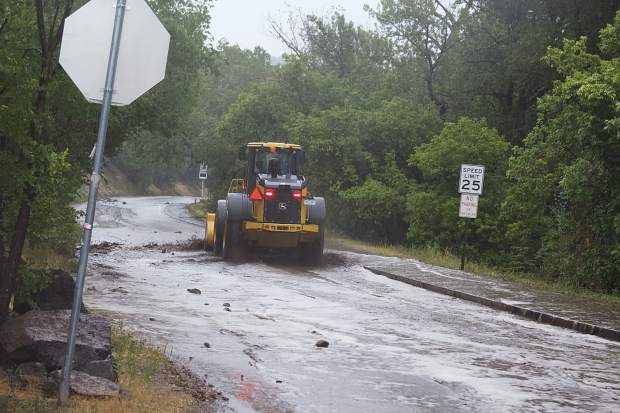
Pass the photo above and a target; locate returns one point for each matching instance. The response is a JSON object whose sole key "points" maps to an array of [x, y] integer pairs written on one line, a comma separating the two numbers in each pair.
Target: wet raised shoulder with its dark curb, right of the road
{"points": [[577, 312]]}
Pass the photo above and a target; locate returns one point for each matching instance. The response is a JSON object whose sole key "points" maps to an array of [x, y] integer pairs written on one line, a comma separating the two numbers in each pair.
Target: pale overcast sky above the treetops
{"points": [[244, 22]]}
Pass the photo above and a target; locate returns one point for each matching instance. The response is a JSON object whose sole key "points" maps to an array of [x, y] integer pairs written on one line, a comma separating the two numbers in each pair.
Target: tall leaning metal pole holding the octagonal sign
{"points": [[92, 199]]}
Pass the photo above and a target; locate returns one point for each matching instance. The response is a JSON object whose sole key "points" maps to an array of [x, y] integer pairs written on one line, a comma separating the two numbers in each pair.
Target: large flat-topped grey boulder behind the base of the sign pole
{"points": [[42, 336]]}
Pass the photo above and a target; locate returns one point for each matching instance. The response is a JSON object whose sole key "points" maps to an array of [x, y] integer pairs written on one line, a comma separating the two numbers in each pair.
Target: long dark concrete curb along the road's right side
{"points": [[541, 317]]}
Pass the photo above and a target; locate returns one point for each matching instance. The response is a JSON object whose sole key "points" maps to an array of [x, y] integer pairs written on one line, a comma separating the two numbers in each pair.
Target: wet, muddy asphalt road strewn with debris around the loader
{"points": [[393, 347]]}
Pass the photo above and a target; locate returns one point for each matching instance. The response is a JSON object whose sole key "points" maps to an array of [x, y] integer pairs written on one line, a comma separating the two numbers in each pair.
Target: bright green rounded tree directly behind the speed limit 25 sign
{"points": [[434, 202]]}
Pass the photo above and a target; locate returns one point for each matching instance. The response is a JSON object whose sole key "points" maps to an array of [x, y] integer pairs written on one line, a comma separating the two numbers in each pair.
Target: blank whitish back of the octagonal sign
{"points": [[143, 52]]}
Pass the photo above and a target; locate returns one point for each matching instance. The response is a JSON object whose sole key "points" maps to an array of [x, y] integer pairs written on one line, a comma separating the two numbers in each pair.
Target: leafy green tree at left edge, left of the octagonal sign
{"points": [[29, 70]]}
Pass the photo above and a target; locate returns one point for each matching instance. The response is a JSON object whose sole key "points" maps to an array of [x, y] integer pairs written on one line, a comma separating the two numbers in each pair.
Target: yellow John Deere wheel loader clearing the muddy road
{"points": [[271, 208]]}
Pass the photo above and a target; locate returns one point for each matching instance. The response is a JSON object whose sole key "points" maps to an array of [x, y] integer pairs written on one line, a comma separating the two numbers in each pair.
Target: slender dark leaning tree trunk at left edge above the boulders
{"points": [[8, 276]]}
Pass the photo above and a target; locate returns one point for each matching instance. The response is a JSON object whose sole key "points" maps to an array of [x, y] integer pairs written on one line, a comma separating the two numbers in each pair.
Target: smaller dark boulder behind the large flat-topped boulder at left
{"points": [[58, 295]]}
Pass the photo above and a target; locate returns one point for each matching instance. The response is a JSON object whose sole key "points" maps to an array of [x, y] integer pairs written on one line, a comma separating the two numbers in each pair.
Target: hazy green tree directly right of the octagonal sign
{"points": [[159, 129]]}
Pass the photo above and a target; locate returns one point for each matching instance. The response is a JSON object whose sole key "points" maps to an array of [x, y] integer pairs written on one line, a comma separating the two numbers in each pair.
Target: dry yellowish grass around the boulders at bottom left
{"points": [[149, 380]]}
